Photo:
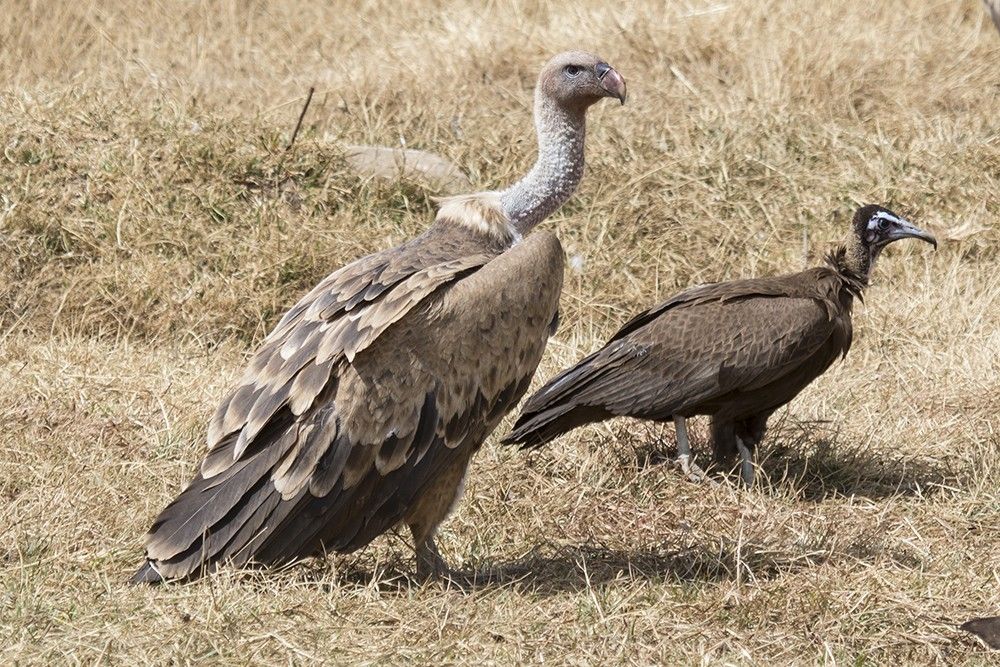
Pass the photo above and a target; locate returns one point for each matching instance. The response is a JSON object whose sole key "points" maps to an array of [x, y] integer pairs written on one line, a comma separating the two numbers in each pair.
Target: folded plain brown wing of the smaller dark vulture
{"points": [[688, 355]]}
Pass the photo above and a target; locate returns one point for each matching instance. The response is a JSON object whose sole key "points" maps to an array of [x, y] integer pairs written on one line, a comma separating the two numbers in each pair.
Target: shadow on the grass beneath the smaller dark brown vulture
{"points": [[812, 462]]}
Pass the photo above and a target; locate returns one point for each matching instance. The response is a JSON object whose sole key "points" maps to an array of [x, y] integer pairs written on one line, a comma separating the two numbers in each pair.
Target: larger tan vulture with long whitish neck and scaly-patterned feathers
{"points": [[362, 409]]}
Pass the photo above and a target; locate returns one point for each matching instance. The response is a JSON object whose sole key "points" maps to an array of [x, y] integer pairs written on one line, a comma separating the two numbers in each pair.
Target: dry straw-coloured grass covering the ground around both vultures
{"points": [[152, 229]]}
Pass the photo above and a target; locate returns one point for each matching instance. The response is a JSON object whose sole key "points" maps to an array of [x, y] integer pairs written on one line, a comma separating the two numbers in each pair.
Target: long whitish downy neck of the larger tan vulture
{"points": [[557, 171]]}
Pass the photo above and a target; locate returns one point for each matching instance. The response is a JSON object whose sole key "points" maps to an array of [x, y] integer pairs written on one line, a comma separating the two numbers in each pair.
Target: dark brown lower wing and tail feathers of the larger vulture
{"points": [[239, 517]]}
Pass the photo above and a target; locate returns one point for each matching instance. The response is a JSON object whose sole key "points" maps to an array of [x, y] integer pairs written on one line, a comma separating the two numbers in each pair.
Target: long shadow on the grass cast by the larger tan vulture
{"points": [[555, 569]]}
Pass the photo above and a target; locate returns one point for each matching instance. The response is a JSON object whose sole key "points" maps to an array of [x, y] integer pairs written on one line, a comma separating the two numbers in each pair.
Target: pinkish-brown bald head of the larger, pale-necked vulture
{"points": [[577, 79]]}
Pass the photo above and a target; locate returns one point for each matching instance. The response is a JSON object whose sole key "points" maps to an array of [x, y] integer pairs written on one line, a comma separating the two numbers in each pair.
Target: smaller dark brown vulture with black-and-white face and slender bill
{"points": [[736, 351]]}
